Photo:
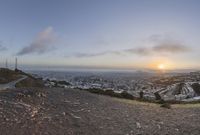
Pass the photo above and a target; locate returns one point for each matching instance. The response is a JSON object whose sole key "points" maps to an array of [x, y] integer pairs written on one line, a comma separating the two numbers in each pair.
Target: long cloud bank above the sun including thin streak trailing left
{"points": [[158, 46]]}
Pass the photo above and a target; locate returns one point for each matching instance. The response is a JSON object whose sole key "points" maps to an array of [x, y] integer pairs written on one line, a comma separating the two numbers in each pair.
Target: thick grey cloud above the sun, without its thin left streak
{"points": [[161, 45]]}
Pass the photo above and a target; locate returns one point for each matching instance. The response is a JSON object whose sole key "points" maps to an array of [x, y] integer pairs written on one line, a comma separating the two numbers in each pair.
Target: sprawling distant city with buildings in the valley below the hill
{"points": [[166, 86]]}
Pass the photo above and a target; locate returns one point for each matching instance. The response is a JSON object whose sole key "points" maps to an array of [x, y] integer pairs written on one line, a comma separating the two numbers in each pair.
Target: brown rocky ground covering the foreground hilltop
{"points": [[75, 112]]}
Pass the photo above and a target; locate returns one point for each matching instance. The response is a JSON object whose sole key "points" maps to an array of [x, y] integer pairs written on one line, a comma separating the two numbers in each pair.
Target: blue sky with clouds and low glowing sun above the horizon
{"points": [[102, 34]]}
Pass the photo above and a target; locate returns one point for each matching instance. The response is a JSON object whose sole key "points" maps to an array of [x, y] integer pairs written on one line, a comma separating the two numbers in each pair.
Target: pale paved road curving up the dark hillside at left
{"points": [[11, 85]]}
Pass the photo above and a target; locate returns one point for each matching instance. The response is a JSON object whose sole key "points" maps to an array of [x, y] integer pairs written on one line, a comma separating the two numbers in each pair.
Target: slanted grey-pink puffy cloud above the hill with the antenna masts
{"points": [[43, 42]]}
